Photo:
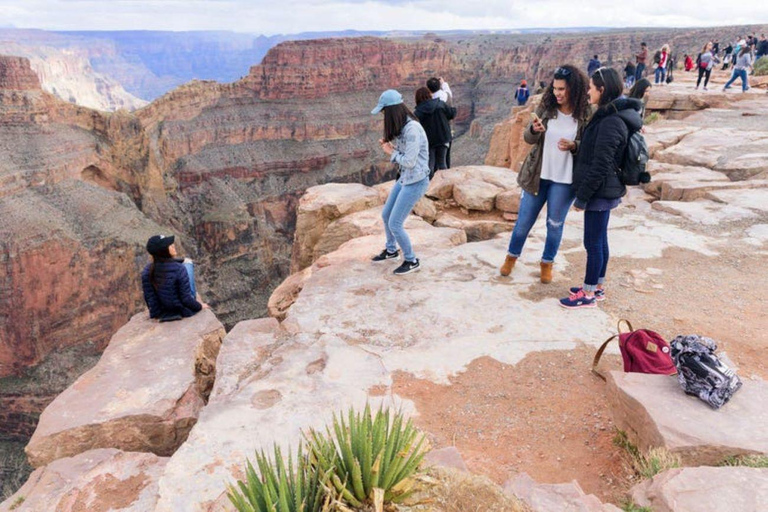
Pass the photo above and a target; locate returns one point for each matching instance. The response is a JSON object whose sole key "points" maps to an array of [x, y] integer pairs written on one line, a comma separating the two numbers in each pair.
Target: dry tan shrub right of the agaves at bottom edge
{"points": [[450, 490]]}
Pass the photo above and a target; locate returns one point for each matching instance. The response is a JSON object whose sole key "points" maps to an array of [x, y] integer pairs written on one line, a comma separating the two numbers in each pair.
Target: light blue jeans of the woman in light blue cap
{"points": [[399, 204]]}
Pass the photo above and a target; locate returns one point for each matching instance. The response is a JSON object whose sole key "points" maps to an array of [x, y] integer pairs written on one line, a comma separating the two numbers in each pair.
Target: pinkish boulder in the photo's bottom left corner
{"points": [[94, 481]]}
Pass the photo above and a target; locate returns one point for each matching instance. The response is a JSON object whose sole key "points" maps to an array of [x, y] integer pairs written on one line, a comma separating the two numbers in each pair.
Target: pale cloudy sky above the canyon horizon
{"points": [[293, 16]]}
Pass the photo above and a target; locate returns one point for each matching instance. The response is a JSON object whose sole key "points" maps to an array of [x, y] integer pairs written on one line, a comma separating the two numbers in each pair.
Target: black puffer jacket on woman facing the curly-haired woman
{"points": [[601, 150]]}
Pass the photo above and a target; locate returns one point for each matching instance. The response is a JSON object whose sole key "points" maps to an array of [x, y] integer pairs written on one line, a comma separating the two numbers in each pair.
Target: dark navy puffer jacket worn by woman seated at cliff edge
{"points": [[173, 295]]}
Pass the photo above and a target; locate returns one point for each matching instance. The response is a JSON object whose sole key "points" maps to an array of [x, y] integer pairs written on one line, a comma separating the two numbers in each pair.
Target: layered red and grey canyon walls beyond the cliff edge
{"points": [[221, 165]]}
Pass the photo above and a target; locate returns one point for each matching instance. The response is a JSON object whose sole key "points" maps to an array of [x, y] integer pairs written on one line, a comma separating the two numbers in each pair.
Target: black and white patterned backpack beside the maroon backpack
{"points": [[701, 373]]}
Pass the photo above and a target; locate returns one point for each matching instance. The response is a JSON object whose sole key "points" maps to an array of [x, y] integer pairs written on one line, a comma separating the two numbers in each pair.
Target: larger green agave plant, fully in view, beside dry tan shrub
{"points": [[368, 459]]}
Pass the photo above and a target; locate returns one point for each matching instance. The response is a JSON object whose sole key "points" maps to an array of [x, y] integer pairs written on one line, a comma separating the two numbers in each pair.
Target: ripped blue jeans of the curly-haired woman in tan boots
{"points": [[558, 198]]}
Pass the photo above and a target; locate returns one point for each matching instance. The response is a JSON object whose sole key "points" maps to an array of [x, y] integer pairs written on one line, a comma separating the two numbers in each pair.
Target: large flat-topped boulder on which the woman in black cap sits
{"points": [[144, 394]]}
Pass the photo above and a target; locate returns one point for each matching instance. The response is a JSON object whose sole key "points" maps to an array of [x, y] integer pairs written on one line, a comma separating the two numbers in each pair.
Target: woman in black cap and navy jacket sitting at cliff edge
{"points": [[169, 282]]}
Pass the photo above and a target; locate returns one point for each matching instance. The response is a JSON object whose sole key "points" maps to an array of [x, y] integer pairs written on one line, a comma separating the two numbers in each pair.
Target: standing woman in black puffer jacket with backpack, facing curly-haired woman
{"points": [[596, 181]]}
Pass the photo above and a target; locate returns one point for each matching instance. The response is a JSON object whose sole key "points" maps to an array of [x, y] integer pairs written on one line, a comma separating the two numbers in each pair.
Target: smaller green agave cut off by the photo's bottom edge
{"points": [[277, 488]]}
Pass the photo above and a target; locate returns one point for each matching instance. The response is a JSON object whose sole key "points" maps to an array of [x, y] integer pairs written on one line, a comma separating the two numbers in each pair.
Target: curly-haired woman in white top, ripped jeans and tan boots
{"points": [[547, 173]]}
